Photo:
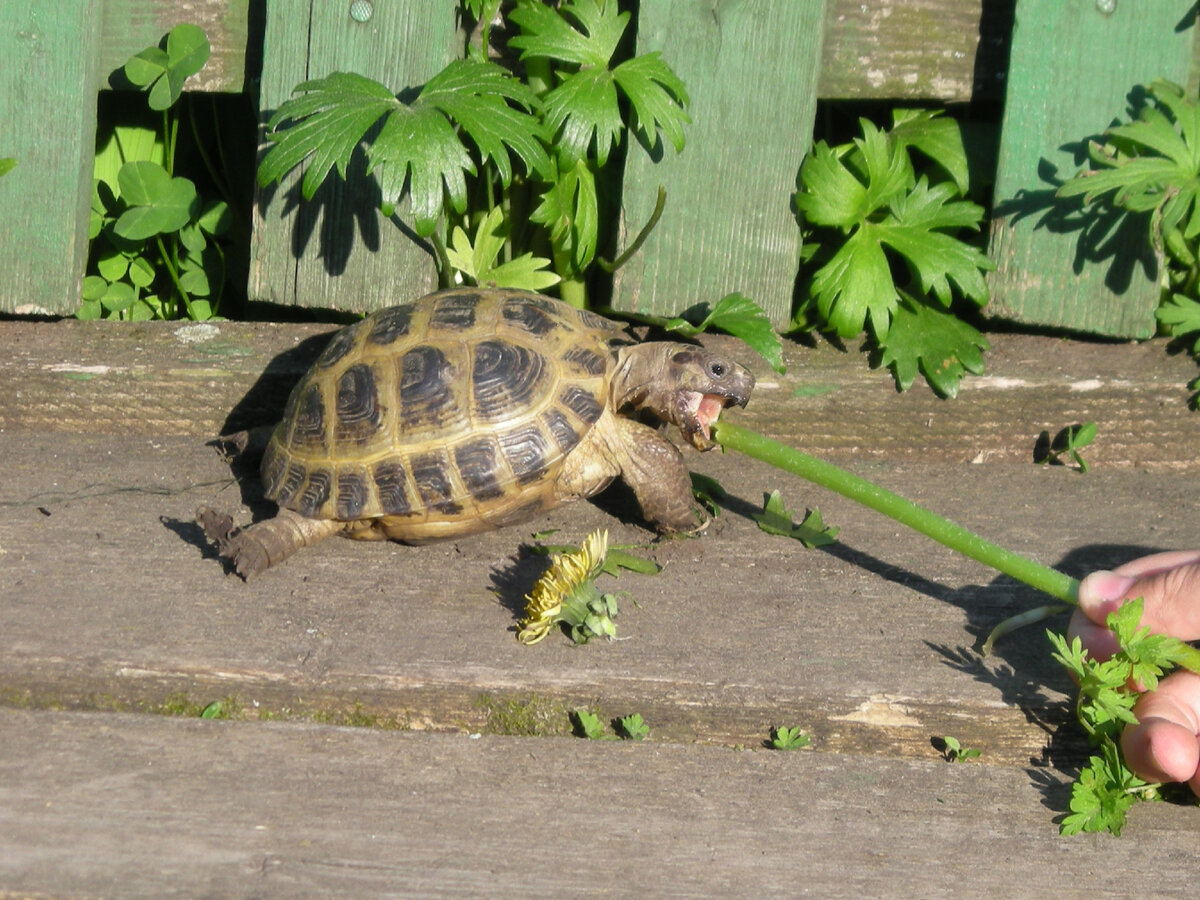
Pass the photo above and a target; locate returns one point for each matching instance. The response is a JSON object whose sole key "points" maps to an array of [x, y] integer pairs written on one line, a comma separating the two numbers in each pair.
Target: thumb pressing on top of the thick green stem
{"points": [[1172, 596]]}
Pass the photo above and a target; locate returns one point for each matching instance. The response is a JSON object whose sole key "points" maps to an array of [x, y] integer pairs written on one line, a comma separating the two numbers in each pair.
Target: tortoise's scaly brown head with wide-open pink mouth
{"points": [[683, 385]]}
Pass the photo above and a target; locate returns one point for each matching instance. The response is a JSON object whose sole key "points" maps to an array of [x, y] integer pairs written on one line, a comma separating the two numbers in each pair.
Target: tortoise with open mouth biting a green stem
{"points": [[477, 409]]}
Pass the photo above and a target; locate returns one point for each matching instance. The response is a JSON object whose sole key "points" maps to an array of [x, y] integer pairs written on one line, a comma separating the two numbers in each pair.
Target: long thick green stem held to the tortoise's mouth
{"points": [[860, 490]]}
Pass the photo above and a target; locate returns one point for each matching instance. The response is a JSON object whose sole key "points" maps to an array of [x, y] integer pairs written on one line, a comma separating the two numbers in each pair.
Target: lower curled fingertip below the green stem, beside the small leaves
{"points": [[1163, 746]]}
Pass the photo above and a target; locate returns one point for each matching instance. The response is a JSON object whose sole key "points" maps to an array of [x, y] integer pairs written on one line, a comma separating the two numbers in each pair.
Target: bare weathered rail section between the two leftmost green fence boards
{"points": [[130, 26]]}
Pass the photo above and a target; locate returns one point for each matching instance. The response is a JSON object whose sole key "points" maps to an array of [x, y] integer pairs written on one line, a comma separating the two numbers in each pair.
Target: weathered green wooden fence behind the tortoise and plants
{"points": [[754, 69]]}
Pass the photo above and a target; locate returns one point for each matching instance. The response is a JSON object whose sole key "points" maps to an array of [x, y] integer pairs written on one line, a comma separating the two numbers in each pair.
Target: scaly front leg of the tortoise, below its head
{"points": [[655, 469]]}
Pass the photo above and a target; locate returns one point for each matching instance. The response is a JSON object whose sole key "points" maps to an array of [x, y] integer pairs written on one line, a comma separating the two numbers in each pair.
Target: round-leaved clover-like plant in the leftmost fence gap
{"points": [[154, 239]]}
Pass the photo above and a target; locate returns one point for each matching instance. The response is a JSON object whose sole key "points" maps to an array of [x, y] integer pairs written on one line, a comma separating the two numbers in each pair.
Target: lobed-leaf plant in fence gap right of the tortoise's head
{"points": [[885, 251]]}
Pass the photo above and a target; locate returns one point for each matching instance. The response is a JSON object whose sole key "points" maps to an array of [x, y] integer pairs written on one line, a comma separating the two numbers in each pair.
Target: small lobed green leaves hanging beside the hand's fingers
{"points": [[1108, 692]]}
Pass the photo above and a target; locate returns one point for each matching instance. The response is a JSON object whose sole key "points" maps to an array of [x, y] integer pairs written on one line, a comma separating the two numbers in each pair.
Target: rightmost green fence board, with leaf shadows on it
{"points": [[1073, 64]]}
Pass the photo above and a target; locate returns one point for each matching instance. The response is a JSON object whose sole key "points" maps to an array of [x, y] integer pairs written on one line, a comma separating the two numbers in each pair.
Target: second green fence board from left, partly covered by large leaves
{"points": [[338, 251]]}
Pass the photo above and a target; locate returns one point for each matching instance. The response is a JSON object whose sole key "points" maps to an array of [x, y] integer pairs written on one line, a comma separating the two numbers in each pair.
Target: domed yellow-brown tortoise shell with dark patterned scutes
{"points": [[445, 417]]}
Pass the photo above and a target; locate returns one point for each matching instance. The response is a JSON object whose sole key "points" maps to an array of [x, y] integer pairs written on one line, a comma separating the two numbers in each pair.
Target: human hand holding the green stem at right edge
{"points": [[1165, 746]]}
